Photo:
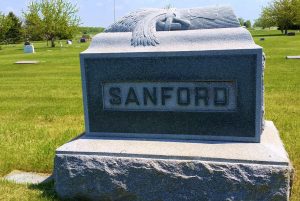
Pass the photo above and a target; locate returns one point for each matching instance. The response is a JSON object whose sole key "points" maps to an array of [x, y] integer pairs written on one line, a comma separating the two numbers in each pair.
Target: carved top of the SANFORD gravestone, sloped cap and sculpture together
{"points": [[174, 30]]}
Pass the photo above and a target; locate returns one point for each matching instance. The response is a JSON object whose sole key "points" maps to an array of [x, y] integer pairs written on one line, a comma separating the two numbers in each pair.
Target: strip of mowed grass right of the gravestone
{"points": [[282, 92]]}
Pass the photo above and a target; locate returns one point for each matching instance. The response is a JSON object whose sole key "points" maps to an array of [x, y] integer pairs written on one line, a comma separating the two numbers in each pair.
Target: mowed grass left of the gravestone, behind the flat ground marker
{"points": [[40, 105]]}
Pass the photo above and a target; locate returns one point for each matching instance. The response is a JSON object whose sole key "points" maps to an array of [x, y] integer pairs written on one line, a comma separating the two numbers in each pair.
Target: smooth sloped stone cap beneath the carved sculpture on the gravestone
{"points": [[176, 41]]}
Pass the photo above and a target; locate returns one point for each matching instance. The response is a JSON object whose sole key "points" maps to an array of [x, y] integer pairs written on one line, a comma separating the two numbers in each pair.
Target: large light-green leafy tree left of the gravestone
{"points": [[51, 19]]}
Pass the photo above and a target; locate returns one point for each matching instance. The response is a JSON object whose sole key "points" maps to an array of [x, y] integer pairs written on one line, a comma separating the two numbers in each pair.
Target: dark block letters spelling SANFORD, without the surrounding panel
{"points": [[183, 96]]}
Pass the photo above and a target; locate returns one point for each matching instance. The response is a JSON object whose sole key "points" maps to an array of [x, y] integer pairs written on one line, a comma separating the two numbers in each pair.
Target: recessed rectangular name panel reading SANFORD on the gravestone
{"points": [[170, 96]]}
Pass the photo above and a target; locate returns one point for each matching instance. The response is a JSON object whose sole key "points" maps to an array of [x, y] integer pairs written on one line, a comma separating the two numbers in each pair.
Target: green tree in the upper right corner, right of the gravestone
{"points": [[284, 14]]}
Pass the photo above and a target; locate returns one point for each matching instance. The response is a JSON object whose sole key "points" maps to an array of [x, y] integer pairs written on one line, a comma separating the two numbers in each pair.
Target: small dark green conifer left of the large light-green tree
{"points": [[15, 32]]}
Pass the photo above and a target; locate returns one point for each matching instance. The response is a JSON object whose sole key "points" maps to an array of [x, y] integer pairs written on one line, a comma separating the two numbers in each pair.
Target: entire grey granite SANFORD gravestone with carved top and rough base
{"points": [[174, 110]]}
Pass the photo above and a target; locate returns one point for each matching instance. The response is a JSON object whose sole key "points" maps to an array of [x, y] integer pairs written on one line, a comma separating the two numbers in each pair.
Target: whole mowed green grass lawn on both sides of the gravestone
{"points": [[41, 107]]}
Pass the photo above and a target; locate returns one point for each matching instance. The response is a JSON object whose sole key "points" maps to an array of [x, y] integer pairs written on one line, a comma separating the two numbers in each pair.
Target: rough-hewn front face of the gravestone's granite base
{"points": [[105, 178]]}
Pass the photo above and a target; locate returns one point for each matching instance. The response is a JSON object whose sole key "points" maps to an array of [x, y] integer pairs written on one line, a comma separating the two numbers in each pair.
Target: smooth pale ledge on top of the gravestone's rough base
{"points": [[269, 152]]}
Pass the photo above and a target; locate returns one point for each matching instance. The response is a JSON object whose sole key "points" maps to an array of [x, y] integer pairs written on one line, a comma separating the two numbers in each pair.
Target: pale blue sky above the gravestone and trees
{"points": [[100, 12]]}
